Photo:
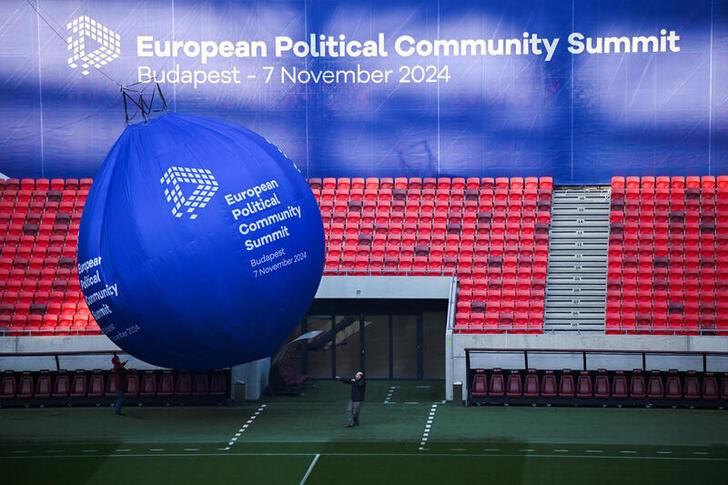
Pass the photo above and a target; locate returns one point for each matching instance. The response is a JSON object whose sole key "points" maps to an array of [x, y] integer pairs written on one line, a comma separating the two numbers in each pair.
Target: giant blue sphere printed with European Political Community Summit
{"points": [[201, 245]]}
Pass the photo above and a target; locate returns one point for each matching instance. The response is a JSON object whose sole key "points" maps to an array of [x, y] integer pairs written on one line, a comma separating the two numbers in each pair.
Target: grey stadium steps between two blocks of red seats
{"points": [[576, 279]]}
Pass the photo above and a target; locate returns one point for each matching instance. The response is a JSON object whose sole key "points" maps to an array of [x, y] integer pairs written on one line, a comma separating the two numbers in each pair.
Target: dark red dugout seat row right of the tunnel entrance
{"points": [[654, 388]]}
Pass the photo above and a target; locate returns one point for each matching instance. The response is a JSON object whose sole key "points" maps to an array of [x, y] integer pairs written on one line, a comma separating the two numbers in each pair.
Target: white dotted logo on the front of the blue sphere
{"points": [[205, 188]]}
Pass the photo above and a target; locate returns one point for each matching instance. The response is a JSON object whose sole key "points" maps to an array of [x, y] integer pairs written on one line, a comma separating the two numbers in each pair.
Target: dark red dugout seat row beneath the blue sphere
{"points": [[46, 386]]}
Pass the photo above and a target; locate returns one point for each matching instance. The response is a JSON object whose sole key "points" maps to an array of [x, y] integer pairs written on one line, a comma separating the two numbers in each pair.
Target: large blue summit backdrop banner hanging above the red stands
{"points": [[580, 90]]}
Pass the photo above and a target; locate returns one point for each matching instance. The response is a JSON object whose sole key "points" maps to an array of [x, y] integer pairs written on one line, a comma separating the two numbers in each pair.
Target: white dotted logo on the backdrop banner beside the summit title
{"points": [[92, 44]]}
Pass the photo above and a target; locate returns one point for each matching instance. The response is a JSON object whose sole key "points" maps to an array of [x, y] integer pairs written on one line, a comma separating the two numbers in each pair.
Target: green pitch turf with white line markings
{"points": [[291, 436]]}
